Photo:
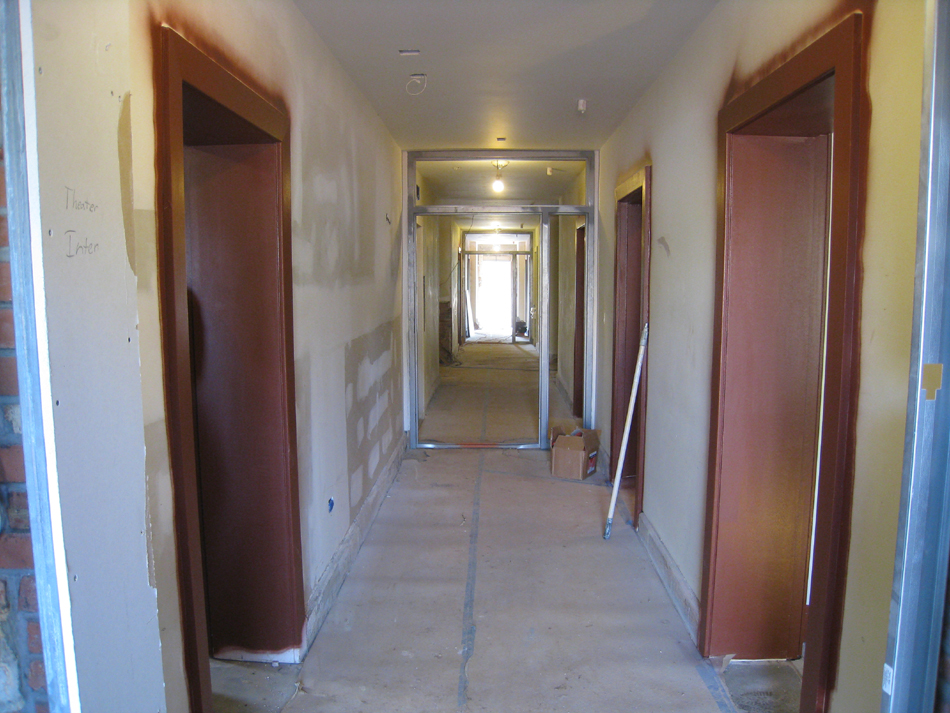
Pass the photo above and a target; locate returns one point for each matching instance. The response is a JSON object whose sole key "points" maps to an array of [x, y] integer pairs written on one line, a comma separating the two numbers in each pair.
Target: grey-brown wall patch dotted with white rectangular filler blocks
{"points": [[373, 407]]}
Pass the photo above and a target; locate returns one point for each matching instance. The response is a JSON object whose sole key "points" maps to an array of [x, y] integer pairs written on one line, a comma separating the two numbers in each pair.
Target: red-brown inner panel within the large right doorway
{"points": [[777, 227]]}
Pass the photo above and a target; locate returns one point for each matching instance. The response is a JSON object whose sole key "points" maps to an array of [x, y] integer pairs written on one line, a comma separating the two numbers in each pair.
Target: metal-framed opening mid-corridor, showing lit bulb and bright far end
{"points": [[491, 336]]}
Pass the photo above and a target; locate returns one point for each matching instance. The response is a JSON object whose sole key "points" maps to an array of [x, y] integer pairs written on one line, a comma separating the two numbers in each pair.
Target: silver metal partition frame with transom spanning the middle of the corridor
{"points": [[546, 212]]}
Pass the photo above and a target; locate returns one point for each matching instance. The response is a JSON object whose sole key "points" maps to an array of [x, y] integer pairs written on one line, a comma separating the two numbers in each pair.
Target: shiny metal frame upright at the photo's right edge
{"points": [[918, 605]]}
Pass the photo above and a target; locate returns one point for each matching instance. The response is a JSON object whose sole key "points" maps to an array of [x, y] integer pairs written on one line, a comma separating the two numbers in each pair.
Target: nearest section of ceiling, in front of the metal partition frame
{"points": [[504, 68]]}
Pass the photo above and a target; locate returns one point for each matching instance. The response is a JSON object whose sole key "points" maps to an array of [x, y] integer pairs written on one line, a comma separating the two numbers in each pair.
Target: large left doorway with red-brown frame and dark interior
{"points": [[228, 357]]}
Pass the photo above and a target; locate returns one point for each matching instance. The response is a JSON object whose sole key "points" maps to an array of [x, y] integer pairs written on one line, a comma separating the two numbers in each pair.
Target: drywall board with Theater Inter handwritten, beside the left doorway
{"points": [[96, 455]]}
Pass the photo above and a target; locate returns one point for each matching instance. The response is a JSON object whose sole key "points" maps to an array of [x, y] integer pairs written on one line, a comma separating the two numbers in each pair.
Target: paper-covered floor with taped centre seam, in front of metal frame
{"points": [[485, 585]]}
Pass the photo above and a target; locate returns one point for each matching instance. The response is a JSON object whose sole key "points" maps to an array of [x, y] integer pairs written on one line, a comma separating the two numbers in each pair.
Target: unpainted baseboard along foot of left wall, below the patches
{"points": [[328, 585]]}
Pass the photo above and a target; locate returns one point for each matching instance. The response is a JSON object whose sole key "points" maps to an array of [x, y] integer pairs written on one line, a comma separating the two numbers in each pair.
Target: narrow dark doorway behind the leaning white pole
{"points": [[631, 313]]}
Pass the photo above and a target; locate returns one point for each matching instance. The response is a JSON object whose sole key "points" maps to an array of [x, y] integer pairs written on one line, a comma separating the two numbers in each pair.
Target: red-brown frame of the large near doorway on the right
{"points": [[838, 53]]}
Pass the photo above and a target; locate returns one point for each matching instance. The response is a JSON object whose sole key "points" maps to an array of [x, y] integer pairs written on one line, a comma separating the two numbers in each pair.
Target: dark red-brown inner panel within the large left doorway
{"points": [[232, 205]]}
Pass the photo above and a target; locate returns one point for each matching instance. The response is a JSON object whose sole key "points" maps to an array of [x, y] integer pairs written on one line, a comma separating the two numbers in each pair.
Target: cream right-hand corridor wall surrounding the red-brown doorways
{"points": [[674, 126]]}
